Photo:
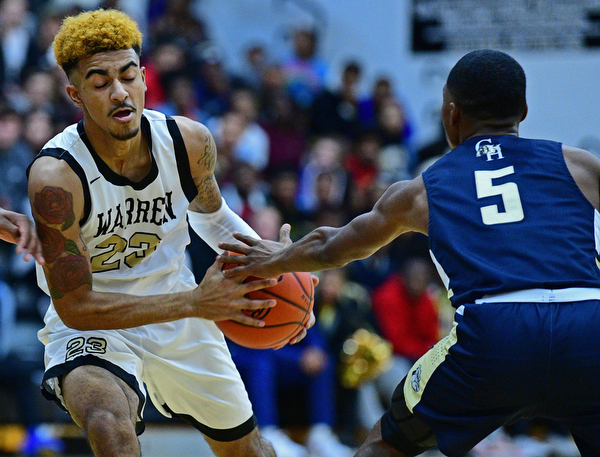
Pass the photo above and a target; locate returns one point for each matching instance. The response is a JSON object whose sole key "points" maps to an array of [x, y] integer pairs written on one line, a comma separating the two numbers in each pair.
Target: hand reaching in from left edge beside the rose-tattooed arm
{"points": [[17, 228]]}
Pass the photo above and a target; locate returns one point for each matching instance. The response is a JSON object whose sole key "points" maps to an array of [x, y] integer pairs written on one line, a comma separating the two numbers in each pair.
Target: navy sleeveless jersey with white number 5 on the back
{"points": [[505, 214]]}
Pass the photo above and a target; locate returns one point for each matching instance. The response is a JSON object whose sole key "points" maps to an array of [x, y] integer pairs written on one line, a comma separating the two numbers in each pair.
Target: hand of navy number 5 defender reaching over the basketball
{"points": [[257, 255]]}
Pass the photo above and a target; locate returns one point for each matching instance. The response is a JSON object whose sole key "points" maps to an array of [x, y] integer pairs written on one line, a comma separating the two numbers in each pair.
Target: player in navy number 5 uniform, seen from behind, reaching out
{"points": [[513, 227]]}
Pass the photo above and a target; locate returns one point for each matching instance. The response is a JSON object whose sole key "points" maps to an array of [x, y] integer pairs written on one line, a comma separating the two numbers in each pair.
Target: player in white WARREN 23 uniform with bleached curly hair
{"points": [[110, 198]]}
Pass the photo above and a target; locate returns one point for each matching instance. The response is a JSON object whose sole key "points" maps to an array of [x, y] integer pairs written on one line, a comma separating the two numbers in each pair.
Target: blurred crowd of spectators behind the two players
{"points": [[291, 148]]}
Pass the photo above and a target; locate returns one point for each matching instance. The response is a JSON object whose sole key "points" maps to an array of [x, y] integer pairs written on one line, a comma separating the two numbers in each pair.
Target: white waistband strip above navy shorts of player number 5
{"points": [[543, 296]]}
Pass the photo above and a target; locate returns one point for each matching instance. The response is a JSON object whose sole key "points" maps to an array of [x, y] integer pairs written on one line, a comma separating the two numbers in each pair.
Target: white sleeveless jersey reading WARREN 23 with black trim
{"points": [[136, 232]]}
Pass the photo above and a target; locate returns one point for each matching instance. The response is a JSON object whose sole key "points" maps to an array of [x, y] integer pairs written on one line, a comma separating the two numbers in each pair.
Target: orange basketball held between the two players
{"points": [[295, 299]]}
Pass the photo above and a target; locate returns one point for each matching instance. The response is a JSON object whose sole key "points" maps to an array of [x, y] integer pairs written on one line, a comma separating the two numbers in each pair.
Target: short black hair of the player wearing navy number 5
{"points": [[487, 85]]}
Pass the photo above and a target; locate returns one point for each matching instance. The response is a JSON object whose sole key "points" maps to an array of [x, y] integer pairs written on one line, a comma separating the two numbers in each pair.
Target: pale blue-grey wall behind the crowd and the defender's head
{"points": [[563, 88]]}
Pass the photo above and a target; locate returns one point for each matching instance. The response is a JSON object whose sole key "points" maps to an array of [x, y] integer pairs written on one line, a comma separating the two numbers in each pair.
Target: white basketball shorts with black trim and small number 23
{"points": [[184, 366]]}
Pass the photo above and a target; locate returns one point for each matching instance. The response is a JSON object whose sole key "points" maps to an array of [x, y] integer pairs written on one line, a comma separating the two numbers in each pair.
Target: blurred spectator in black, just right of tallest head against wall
{"points": [[336, 112]]}
